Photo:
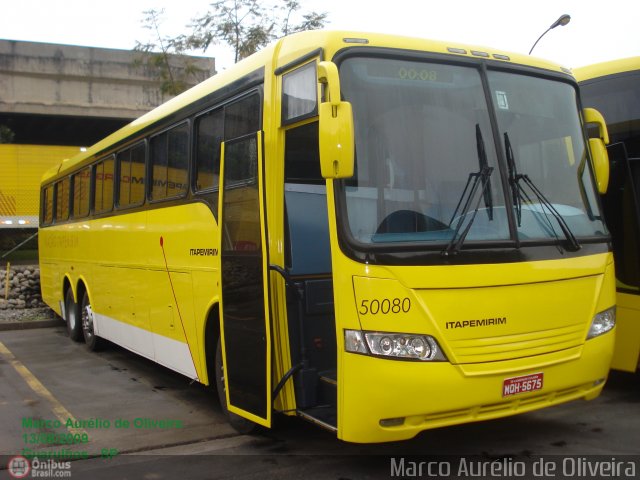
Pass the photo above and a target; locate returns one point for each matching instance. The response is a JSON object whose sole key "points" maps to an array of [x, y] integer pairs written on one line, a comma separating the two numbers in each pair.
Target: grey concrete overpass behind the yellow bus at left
{"points": [[71, 95]]}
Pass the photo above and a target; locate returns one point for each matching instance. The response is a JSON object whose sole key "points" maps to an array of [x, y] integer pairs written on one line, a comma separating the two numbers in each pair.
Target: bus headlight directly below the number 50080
{"points": [[394, 345]]}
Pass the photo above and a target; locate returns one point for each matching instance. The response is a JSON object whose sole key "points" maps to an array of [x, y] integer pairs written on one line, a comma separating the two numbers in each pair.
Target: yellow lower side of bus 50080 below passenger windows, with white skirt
{"points": [[122, 263]]}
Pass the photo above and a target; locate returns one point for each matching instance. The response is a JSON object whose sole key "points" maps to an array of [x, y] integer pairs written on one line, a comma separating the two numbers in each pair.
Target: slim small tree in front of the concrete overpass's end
{"points": [[171, 63]]}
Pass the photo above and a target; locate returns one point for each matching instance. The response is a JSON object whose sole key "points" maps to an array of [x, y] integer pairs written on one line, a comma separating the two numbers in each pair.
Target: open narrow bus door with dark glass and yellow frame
{"points": [[245, 331]]}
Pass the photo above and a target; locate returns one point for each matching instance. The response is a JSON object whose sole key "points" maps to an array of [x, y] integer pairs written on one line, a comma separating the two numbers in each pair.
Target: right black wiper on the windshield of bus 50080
{"points": [[519, 194]]}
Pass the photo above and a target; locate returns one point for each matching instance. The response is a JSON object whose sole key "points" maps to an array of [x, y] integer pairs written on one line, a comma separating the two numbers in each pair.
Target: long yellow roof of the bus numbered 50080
{"points": [[281, 53]]}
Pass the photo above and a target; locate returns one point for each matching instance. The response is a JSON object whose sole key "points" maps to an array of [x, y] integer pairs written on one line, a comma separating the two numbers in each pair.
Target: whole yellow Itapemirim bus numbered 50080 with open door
{"points": [[379, 234]]}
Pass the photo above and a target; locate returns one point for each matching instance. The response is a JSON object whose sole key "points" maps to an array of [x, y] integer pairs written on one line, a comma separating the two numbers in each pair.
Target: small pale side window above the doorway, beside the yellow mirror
{"points": [[299, 94]]}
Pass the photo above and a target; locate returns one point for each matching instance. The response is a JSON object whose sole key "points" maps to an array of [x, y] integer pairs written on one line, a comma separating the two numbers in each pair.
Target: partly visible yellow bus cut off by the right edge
{"points": [[614, 89]]}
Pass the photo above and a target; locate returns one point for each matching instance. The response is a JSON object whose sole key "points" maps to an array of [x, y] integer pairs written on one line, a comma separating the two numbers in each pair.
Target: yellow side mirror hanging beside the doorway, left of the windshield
{"points": [[335, 128]]}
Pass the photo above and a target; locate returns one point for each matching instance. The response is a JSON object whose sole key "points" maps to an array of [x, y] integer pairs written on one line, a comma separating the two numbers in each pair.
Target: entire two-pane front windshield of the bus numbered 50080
{"points": [[427, 164]]}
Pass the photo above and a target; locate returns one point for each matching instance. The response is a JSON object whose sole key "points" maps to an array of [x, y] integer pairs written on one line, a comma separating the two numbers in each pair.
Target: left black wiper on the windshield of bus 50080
{"points": [[473, 182]]}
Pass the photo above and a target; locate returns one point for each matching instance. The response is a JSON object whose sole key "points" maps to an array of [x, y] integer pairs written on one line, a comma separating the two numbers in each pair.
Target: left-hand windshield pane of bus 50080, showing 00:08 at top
{"points": [[422, 135]]}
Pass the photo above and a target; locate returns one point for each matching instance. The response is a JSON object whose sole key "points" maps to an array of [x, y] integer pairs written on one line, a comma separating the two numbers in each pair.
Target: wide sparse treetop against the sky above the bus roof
{"points": [[248, 25]]}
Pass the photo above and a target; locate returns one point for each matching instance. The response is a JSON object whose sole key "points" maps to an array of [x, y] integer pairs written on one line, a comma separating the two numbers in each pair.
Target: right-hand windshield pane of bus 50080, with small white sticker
{"points": [[538, 121]]}
